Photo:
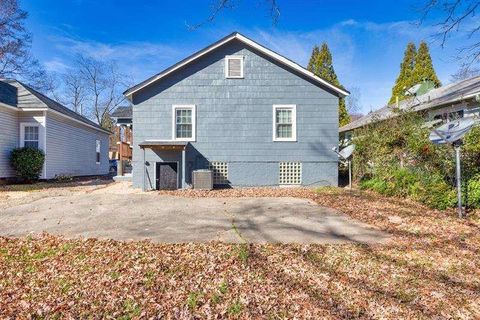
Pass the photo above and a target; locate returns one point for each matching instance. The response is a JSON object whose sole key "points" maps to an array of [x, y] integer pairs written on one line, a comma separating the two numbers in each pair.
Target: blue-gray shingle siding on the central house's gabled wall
{"points": [[234, 120]]}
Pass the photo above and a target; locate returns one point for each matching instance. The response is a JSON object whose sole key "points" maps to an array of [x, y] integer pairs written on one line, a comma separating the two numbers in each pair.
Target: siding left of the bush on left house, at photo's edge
{"points": [[8, 139]]}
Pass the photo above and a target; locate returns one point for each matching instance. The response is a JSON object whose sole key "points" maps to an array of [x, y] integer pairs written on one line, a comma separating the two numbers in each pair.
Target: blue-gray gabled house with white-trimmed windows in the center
{"points": [[251, 115]]}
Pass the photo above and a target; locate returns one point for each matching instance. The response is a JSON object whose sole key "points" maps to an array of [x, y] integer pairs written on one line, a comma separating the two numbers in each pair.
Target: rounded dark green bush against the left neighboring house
{"points": [[27, 162]]}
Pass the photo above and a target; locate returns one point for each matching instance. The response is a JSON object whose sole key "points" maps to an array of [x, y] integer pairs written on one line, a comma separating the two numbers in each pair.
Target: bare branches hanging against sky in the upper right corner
{"points": [[457, 15]]}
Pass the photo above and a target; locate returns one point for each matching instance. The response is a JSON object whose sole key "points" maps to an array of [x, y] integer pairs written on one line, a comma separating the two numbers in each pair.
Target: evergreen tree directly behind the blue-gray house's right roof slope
{"points": [[321, 64]]}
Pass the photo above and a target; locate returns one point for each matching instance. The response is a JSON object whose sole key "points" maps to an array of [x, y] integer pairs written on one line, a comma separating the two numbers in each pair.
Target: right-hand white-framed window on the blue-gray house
{"points": [[284, 123]]}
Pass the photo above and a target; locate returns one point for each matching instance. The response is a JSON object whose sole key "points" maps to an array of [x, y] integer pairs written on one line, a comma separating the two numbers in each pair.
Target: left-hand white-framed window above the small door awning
{"points": [[184, 122]]}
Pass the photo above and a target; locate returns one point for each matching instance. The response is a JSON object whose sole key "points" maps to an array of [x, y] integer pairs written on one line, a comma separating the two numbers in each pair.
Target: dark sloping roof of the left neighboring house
{"points": [[50, 104]]}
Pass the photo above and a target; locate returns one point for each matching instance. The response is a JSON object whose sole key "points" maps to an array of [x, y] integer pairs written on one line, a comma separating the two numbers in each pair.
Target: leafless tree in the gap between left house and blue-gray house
{"points": [[99, 88]]}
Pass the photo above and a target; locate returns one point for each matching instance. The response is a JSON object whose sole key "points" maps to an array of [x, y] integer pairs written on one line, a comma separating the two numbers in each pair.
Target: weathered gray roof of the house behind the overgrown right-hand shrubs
{"points": [[451, 93]]}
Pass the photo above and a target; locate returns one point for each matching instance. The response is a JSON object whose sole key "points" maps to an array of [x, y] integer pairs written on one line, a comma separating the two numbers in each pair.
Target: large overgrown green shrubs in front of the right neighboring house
{"points": [[396, 158]]}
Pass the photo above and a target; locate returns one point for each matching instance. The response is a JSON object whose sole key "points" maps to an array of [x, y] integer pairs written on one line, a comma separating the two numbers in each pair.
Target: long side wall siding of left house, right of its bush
{"points": [[71, 148]]}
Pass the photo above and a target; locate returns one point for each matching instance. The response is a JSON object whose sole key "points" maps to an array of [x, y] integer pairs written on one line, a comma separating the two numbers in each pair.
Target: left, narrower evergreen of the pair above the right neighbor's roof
{"points": [[404, 80]]}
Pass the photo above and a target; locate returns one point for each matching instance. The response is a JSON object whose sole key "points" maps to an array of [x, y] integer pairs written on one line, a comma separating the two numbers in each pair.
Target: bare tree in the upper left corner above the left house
{"points": [[15, 44]]}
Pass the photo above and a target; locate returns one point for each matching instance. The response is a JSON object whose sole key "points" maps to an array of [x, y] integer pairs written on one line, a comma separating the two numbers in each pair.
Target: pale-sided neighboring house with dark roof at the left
{"points": [[73, 145]]}
